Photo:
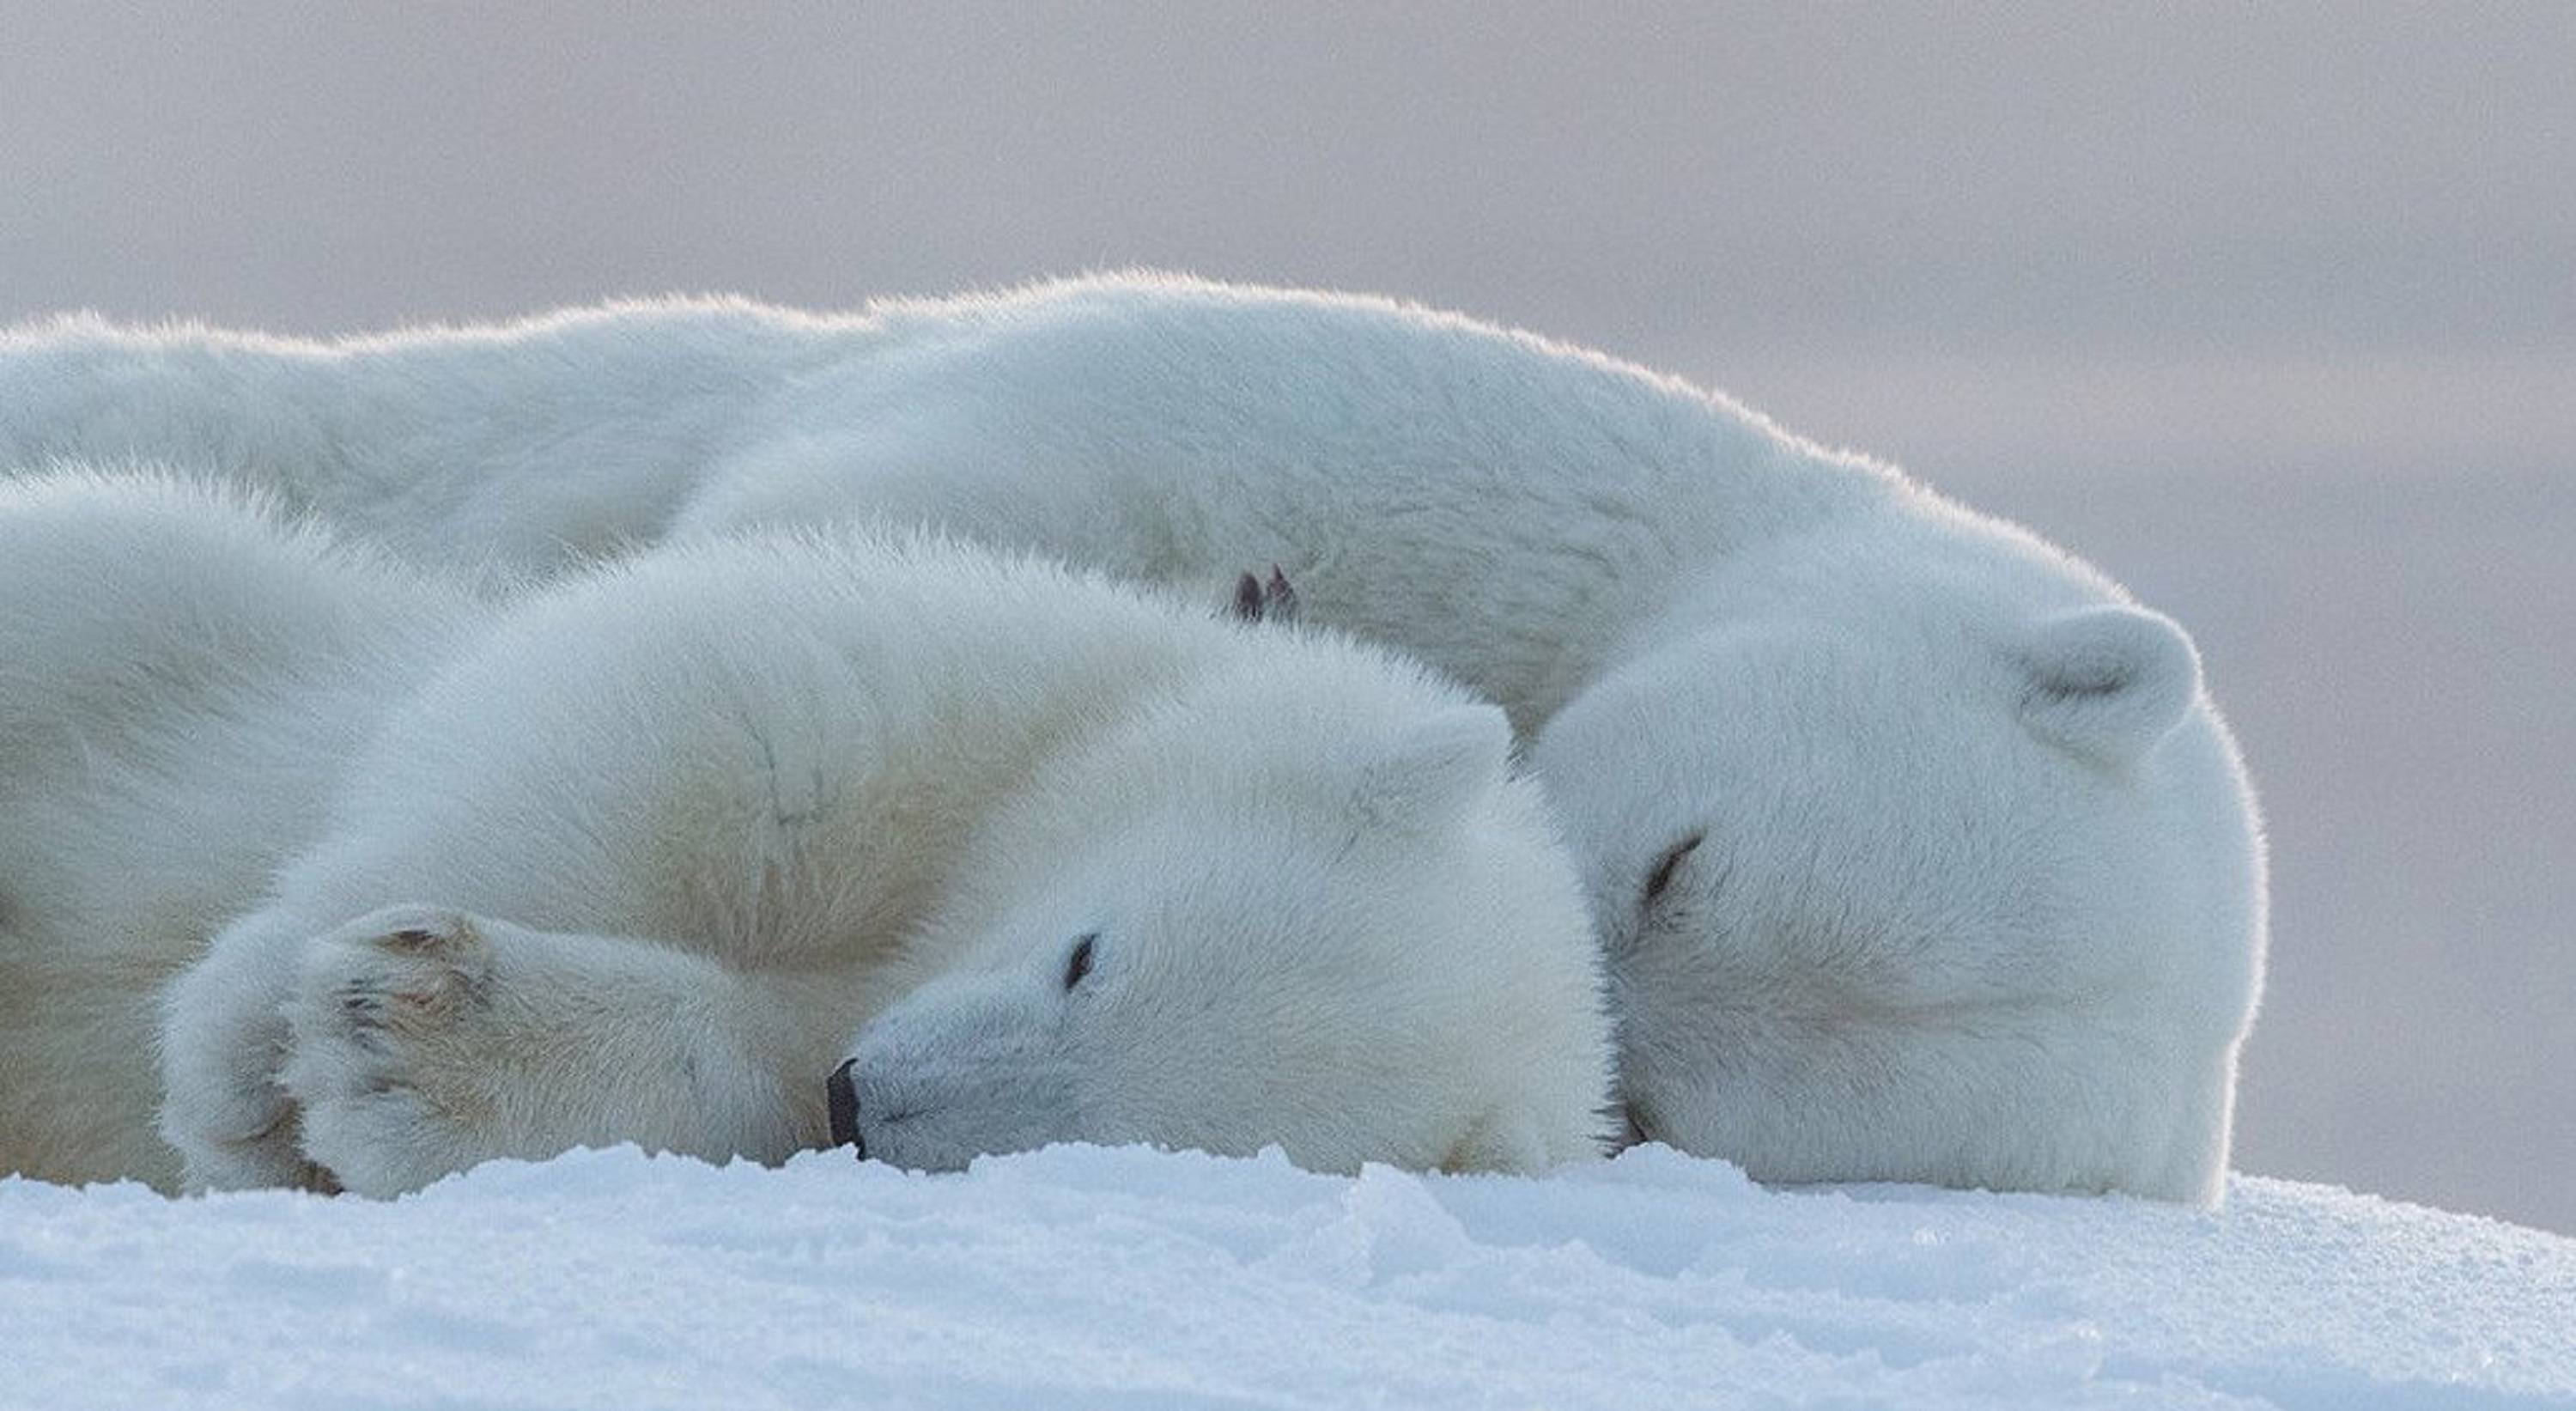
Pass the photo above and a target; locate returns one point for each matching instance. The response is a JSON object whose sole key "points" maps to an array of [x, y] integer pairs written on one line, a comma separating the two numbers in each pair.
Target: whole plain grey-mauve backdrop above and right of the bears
{"points": [[2268, 310]]}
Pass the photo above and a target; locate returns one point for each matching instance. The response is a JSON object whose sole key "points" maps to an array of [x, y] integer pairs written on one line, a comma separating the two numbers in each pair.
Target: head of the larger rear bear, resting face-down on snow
{"points": [[1946, 872]]}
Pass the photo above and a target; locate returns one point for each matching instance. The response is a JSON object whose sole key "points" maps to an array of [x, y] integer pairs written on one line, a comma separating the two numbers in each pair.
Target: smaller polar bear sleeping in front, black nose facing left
{"points": [[648, 859]]}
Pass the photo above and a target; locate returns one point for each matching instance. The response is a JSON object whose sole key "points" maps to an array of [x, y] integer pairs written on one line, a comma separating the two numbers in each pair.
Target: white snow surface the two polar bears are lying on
{"points": [[1137, 1278]]}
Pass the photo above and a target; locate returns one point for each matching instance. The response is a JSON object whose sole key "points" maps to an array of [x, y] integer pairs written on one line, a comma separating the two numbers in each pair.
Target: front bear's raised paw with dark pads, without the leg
{"points": [[393, 1049]]}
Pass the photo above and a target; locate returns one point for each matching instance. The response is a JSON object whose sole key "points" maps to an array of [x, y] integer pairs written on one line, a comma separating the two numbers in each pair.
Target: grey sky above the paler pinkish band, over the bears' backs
{"points": [[2181, 179]]}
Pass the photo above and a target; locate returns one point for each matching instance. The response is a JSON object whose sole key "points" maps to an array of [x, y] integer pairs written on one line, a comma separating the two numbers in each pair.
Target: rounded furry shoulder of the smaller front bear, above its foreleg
{"points": [[808, 730]]}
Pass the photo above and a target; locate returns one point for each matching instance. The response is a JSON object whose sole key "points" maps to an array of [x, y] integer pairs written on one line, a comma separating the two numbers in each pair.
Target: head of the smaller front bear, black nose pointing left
{"points": [[1282, 910]]}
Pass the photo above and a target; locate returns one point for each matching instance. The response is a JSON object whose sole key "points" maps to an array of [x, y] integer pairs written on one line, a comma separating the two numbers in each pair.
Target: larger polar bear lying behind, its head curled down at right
{"points": [[1918, 848]]}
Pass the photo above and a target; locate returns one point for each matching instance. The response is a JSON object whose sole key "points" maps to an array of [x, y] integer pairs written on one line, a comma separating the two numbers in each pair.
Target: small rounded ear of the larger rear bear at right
{"points": [[2108, 681]]}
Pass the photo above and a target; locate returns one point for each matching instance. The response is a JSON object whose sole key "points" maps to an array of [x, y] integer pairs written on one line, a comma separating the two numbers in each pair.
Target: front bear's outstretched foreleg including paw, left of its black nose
{"points": [[426, 1042]]}
